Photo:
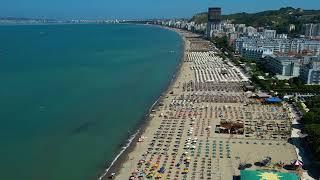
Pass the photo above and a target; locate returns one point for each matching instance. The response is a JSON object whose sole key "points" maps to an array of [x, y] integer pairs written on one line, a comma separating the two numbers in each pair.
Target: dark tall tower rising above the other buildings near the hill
{"points": [[214, 20]]}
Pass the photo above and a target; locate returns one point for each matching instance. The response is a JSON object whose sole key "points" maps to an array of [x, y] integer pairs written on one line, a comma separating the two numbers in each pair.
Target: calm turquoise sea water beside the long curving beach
{"points": [[69, 94]]}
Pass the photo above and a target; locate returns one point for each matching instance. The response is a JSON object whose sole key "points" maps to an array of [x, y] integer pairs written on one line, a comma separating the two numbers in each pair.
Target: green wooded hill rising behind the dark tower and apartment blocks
{"points": [[277, 19]]}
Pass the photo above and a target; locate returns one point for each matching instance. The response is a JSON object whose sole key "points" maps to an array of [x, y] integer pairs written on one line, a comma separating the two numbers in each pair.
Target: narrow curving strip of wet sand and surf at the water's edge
{"points": [[131, 142]]}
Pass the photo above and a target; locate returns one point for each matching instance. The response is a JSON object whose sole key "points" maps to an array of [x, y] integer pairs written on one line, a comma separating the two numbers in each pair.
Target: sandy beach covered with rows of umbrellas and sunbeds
{"points": [[206, 125]]}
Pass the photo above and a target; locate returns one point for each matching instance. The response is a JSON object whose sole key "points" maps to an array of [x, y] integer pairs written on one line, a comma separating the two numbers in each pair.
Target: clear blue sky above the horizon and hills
{"points": [[135, 9]]}
